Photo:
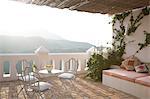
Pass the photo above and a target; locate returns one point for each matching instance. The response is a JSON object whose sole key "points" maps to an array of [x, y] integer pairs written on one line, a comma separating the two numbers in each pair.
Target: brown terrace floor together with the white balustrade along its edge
{"points": [[86, 89]]}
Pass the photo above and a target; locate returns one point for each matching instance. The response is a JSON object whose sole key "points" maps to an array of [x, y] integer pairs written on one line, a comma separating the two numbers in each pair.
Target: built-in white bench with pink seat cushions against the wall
{"points": [[137, 84]]}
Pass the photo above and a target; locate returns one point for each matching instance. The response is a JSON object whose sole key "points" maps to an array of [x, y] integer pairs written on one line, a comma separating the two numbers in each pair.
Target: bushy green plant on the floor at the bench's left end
{"points": [[95, 65]]}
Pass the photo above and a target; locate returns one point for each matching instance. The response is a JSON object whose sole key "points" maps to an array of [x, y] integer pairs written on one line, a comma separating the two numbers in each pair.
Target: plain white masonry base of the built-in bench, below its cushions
{"points": [[138, 90]]}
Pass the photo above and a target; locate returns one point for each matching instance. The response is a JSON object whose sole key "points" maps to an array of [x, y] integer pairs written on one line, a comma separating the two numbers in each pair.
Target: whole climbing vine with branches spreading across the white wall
{"points": [[121, 32]]}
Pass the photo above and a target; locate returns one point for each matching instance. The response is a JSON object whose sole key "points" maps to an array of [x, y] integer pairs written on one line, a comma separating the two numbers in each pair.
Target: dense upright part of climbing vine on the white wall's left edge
{"points": [[115, 55]]}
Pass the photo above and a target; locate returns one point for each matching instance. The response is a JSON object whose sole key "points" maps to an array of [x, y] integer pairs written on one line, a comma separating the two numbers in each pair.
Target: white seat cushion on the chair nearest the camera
{"points": [[41, 86]]}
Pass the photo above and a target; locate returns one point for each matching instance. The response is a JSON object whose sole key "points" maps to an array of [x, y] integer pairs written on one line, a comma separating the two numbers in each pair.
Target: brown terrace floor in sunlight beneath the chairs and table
{"points": [[84, 89]]}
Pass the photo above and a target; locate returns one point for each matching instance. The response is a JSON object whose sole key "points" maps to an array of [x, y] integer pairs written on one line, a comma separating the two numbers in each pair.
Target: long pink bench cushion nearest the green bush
{"points": [[124, 74]]}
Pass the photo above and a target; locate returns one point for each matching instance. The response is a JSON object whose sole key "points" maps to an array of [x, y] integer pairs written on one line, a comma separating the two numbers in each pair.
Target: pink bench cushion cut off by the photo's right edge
{"points": [[144, 81]]}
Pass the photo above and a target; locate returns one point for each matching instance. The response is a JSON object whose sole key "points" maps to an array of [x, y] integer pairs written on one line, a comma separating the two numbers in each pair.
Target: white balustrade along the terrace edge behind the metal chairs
{"points": [[40, 59]]}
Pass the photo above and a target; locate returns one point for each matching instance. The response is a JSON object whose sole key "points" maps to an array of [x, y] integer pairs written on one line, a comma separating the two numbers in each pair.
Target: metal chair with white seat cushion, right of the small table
{"points": [[67, 78]]}
